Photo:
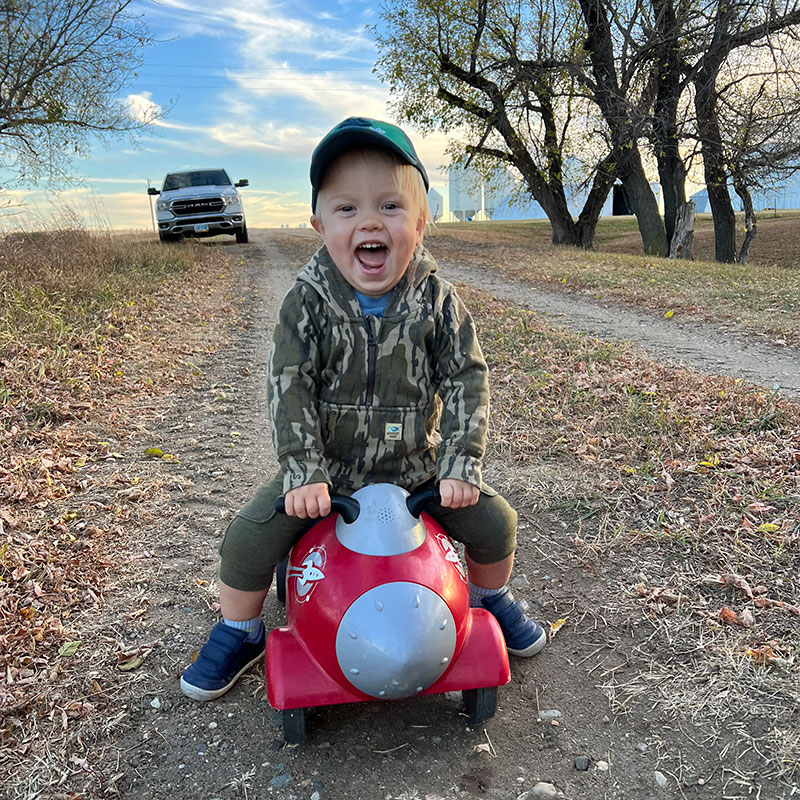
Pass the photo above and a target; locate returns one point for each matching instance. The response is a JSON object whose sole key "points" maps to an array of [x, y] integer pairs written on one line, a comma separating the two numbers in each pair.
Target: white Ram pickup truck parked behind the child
{"points": [[199, 202]]}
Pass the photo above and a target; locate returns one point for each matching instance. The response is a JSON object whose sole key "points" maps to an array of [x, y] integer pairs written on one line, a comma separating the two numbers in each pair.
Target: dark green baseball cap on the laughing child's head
{"points": [[355, 131]]}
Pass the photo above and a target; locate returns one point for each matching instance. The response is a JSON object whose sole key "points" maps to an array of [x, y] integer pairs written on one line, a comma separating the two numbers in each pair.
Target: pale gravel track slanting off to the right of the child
{"points": [[709, 348]]}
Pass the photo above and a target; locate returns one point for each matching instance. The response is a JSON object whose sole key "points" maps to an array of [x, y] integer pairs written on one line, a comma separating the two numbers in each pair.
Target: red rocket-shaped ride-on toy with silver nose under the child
{"points": [[377, 608]]}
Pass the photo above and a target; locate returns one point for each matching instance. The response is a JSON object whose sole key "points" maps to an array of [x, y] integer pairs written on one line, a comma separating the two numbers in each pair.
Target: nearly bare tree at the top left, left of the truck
{"points": [[63, 66]]}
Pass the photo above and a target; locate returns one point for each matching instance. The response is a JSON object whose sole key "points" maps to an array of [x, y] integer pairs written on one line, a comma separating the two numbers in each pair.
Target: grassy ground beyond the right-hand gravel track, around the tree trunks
{"points": [[762, 297]]}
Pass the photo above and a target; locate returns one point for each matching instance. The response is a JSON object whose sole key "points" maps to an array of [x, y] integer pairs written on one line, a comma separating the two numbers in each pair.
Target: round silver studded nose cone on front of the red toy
{"points": [[395, 640]]}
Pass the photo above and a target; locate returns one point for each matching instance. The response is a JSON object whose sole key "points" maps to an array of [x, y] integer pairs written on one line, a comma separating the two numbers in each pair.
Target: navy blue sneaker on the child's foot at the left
{"points": [[224, 657]]}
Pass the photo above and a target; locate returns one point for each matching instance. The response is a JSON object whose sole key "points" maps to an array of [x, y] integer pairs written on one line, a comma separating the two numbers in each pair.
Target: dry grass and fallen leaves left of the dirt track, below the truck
{"points": [[94, 335]]}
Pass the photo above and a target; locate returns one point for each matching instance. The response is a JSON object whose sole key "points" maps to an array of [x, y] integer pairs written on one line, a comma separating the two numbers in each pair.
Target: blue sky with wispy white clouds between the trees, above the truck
{"points": [[248, 86]]}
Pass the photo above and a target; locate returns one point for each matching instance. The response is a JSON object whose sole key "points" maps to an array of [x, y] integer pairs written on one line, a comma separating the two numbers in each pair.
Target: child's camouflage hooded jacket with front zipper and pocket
{"points": [[357, 399]]}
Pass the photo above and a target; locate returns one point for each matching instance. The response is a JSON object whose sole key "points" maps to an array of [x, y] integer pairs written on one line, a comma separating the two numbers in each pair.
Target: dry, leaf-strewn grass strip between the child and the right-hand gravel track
{"points": [[685, 489]]}
